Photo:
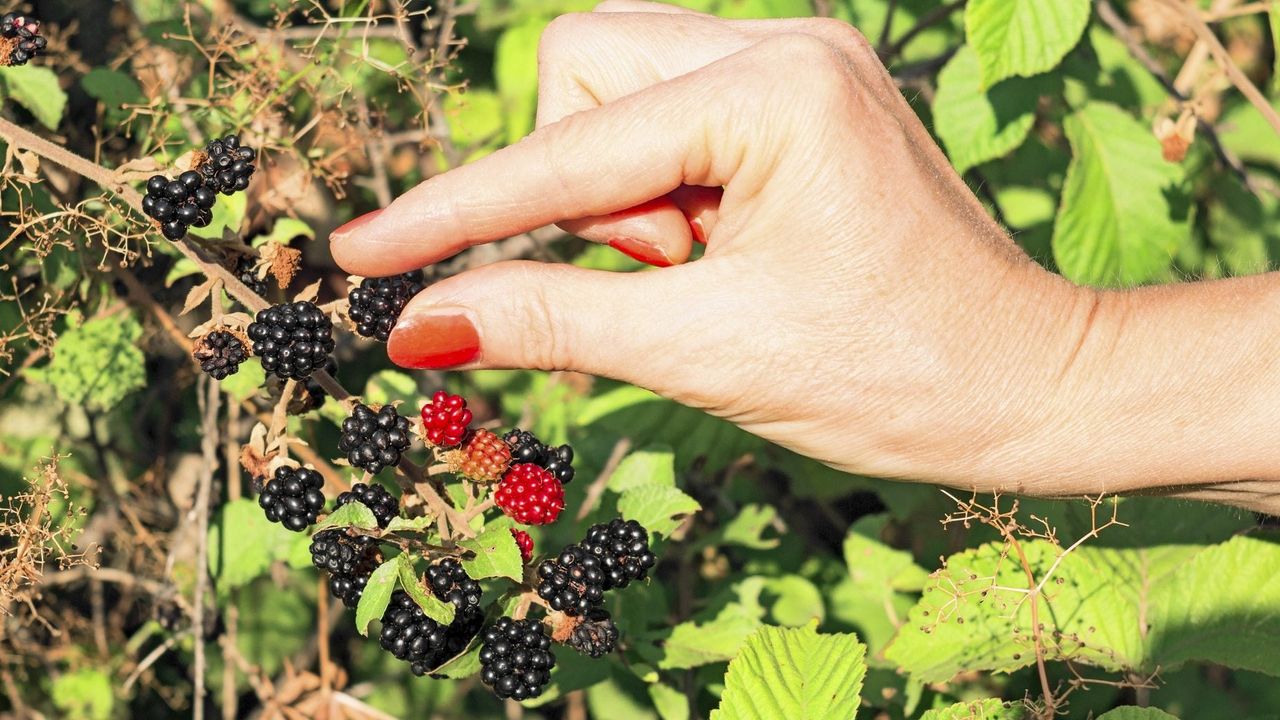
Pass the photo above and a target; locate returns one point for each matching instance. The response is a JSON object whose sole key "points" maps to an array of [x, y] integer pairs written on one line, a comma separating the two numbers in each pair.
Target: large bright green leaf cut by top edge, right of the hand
{"points": [[1023, 38]]}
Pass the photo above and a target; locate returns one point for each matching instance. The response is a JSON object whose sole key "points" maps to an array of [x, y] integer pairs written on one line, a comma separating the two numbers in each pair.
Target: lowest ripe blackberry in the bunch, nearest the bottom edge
{"points": [[516, 660]]}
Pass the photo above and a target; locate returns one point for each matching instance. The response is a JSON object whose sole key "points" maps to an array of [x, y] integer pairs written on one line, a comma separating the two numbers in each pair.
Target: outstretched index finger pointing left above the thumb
{"points": [[593, 163]]}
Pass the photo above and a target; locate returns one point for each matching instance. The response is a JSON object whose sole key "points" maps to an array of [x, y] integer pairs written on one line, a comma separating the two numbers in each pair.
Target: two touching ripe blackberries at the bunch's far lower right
{"points": [[610, 558]]}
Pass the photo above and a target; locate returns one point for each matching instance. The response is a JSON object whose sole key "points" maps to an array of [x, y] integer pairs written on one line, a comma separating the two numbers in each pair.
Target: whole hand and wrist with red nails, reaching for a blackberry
{"points": [[854, 304]]}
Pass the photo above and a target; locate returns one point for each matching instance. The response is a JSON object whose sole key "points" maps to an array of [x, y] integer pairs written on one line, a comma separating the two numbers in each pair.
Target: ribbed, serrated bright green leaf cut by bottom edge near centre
{"points": [[794, 673]]}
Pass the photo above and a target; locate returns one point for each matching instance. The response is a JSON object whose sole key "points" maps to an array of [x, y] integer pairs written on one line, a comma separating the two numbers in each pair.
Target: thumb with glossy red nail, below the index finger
{"points": [[522, 315]]}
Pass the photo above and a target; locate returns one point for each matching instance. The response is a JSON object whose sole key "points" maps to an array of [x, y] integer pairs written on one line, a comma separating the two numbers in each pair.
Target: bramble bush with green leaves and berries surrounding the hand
{"points": [[218, 499]]}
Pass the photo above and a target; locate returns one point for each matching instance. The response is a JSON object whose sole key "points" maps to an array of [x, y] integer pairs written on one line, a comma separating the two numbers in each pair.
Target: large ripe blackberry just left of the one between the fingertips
{"points": [[294, 340]]}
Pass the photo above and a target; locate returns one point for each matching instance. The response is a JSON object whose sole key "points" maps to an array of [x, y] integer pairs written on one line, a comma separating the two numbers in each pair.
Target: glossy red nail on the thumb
{"points": [[440, 338]]}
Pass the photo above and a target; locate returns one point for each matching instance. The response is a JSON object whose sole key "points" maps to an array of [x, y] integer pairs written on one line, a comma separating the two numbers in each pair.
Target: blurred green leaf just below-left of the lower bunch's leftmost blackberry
{"points": [[244, 544]]}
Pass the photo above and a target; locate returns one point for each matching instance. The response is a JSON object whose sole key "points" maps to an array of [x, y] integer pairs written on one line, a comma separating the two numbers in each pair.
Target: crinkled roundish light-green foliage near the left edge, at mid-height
{"points": [[97, 364]]}
